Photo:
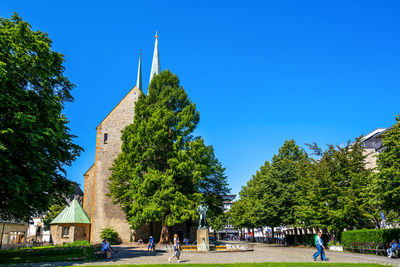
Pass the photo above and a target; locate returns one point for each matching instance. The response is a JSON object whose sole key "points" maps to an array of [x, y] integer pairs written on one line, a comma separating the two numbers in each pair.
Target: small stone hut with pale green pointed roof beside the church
{"points": [[72, 224]]}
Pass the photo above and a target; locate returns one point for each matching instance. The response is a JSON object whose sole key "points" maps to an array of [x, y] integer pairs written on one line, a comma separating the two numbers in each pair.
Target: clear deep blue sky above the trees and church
{"points": [[260, 72]]}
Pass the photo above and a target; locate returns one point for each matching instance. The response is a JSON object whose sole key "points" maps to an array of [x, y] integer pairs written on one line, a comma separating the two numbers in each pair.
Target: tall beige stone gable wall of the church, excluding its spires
{"points": [[103, 213]]}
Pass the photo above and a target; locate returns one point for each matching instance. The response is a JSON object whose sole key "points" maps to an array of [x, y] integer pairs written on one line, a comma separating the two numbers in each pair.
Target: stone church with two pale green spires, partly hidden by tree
{"points": [[99, 207]]}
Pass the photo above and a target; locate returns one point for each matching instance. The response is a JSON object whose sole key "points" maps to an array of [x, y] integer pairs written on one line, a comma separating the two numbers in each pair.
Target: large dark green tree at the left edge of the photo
{"points": [[35, 142]]}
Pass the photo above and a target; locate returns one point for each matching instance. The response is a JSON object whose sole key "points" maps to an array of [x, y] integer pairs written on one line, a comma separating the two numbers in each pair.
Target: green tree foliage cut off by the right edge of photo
{"points": [[387, 182]]}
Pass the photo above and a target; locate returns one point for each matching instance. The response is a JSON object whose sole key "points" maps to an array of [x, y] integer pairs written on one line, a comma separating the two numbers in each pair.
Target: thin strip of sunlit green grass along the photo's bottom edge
{"points": [[265, 264]]}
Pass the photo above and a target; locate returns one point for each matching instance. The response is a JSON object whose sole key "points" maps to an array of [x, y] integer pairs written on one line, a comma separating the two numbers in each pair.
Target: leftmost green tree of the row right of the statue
{"points": [[270, 195]]}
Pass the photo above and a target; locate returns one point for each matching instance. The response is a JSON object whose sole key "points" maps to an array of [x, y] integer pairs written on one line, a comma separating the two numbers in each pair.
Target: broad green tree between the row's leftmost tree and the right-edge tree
{"points": [[335, 194]]}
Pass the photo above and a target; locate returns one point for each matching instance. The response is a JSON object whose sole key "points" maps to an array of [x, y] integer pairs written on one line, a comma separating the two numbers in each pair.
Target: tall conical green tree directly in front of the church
{"points": [[164, 171]]}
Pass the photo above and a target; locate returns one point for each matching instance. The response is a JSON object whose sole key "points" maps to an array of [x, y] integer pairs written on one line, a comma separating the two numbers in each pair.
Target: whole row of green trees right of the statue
{"points": [[327, 189]]}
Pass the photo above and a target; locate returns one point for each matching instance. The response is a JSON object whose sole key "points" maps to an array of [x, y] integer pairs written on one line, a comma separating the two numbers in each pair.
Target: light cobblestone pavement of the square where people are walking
{"points": [[131, 254]]}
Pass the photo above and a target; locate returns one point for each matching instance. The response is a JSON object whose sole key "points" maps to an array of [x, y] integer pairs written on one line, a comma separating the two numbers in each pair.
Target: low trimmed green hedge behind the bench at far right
{"points": [[370, 235]]}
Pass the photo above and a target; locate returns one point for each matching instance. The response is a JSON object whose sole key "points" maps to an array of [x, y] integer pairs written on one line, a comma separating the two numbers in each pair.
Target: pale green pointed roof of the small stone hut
{"points": [[72, 214]]}
